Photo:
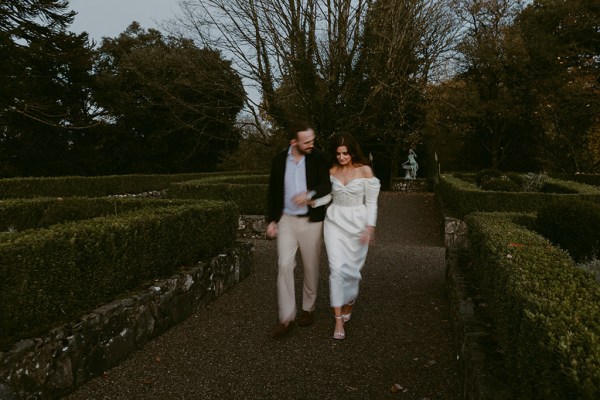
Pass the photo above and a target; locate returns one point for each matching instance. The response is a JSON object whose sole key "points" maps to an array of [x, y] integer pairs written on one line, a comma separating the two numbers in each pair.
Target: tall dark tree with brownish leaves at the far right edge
{"points": [[562, 42]]}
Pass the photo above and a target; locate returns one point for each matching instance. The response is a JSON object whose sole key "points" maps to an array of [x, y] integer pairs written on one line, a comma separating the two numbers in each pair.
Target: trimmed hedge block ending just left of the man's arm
{"points": [[248, 192]]}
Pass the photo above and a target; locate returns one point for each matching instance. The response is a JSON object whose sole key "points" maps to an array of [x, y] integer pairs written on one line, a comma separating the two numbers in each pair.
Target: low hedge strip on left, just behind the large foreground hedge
{"points": [[22, 214]]}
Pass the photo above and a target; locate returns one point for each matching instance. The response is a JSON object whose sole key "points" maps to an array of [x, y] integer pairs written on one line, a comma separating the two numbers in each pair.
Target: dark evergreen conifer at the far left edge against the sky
{"points": [[46, 81]]}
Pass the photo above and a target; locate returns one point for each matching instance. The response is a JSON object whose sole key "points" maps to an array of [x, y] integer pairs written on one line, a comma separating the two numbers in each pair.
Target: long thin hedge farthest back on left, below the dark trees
{"points": [[95, 186]]}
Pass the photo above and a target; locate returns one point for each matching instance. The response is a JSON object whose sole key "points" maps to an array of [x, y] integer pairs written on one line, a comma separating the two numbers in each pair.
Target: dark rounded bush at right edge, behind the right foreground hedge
{"points": [[573, 225]]}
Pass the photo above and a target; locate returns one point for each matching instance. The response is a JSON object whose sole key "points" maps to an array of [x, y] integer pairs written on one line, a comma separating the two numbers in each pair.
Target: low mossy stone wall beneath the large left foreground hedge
{"points": [[52, 365]]}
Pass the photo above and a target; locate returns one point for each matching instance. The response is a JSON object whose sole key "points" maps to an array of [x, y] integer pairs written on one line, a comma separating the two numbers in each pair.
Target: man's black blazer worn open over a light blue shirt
{"points": [[317, 179]]}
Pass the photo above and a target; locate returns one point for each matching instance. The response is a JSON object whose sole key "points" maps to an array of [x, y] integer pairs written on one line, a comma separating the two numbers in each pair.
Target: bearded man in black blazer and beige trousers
{"points": [[297, 175]]}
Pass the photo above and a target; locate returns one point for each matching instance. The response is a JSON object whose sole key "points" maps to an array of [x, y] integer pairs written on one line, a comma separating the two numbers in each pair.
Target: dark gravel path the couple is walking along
{"points": [[399, 343]]}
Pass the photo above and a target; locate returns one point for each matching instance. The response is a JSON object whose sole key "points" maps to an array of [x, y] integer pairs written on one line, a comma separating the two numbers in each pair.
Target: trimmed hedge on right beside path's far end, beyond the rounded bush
{"points": [[461, 197]]}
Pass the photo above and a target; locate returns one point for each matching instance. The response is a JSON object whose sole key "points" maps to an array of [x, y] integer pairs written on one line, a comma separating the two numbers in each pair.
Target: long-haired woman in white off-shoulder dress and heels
{"points": [[349, 225]]}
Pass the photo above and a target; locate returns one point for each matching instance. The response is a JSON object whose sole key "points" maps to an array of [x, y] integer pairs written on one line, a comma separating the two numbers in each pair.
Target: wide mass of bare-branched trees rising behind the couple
{"points": [[357, 65]]}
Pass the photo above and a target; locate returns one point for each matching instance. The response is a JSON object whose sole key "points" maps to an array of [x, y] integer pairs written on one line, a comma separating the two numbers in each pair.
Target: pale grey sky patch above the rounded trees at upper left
{"points": [[111, 17]]}
